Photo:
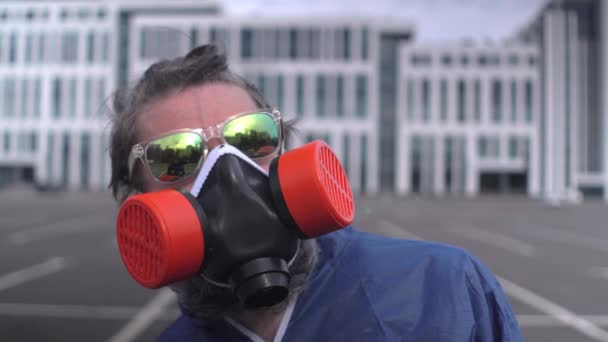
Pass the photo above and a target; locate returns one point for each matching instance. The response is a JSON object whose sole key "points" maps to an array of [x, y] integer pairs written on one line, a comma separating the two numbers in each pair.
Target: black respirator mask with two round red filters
{"points": [[240, 226]]}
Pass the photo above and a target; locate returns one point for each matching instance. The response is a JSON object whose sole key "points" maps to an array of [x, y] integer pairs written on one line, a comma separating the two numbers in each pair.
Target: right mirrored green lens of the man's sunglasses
{"points": [[256, 135]]}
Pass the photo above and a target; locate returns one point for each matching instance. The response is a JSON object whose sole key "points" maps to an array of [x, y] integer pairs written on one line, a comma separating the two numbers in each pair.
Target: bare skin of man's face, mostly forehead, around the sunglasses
{"points": [[195, 107]]}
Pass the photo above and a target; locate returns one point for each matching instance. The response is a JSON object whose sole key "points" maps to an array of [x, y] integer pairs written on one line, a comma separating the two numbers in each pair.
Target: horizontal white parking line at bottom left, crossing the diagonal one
{"points": [[76, 311]]}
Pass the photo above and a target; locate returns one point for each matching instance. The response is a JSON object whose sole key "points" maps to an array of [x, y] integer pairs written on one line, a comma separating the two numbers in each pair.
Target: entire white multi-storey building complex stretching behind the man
{"points": [[405, 117]]}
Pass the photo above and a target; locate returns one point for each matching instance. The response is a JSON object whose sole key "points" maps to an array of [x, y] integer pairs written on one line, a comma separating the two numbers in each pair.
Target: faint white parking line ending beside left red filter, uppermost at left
{"points": [[55, 229]]}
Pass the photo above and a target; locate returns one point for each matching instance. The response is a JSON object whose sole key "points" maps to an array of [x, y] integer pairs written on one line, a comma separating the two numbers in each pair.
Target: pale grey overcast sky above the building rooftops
{"points": [[435, 20]]}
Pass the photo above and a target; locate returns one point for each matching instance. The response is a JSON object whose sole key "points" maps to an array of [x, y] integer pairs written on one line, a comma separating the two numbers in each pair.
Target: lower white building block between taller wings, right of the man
{"points": [[467, 119]]}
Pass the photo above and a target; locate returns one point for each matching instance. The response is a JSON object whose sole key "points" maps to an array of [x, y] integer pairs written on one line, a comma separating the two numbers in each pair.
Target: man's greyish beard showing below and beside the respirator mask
{"points": [[204, 300]]}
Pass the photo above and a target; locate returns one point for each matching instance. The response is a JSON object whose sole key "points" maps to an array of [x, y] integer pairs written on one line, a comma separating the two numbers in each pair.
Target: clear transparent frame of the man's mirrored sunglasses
{"points": [[138, 151]]}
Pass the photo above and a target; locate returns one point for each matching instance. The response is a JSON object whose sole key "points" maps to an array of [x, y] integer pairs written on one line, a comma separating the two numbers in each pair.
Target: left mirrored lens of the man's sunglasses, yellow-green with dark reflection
{"points": [[173, 157]]}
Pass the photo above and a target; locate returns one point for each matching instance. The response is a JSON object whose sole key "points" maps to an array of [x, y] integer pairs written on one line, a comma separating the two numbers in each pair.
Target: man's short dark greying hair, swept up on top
{"points": [[204, 64]]}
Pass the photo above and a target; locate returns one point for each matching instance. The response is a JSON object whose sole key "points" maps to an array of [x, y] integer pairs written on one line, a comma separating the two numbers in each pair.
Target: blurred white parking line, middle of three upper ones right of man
{"points": [[496, 240]]}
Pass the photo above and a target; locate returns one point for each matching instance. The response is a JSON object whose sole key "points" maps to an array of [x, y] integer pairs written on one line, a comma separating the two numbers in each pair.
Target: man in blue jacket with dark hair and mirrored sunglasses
{"points": [[344, 286]]}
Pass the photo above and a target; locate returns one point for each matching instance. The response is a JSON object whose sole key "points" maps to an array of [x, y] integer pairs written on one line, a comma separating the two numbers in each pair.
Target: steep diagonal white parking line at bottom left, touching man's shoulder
{"points": [[146, 316]]}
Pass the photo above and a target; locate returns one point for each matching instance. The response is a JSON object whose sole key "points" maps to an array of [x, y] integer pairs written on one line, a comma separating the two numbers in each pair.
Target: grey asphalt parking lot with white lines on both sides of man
{"points": [[61, 278]]}
